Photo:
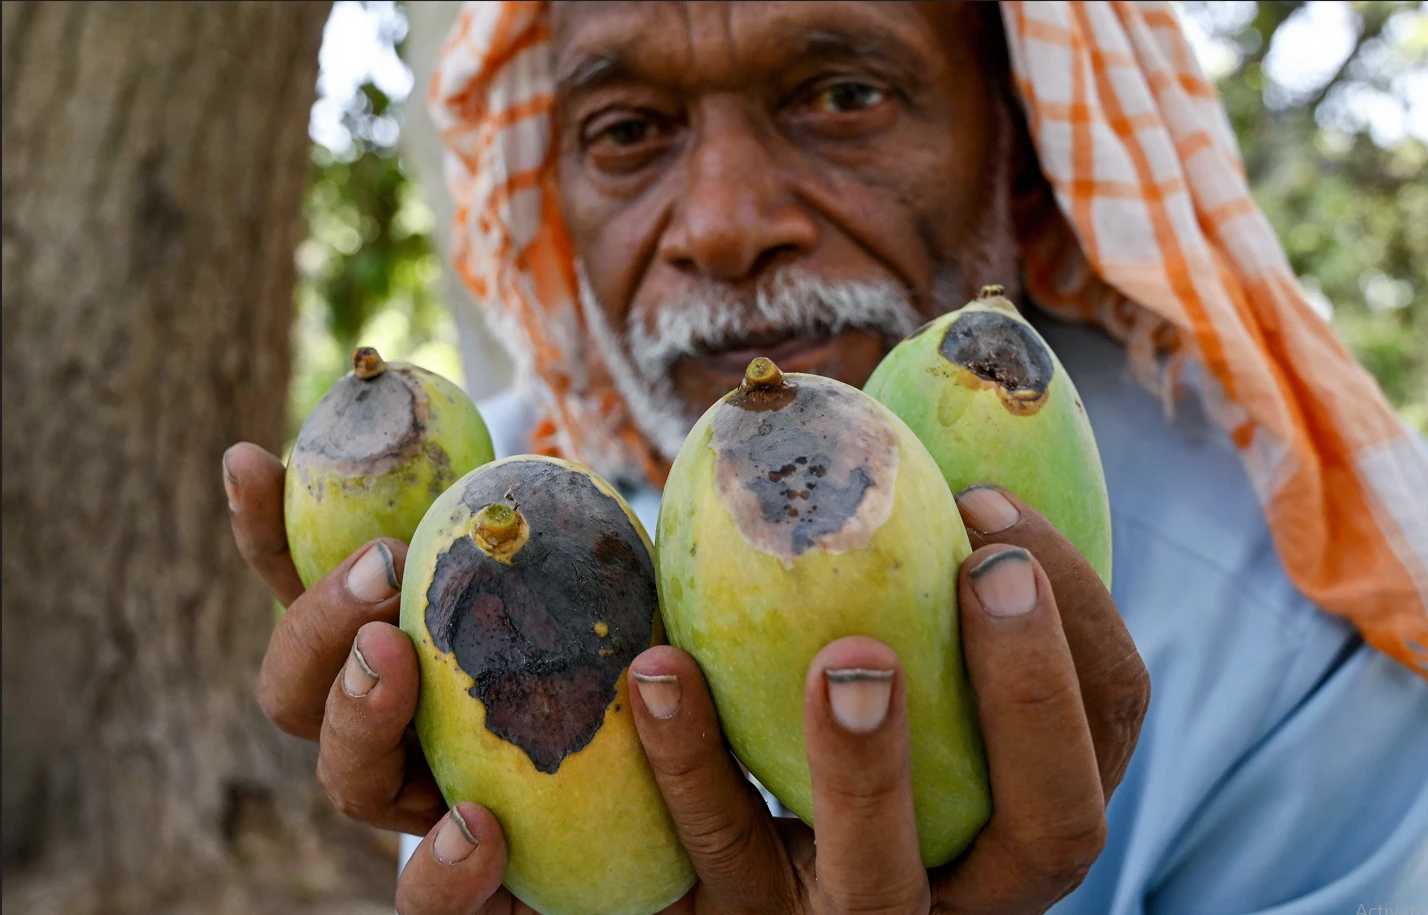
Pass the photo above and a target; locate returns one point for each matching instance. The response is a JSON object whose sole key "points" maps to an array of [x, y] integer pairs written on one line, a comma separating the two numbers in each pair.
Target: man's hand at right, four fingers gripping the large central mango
{"points": [[1062, 696]]}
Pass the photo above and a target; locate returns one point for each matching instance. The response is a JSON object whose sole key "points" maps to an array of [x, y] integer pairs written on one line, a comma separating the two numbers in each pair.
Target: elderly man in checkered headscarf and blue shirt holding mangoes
{"points": [[650, 195]]}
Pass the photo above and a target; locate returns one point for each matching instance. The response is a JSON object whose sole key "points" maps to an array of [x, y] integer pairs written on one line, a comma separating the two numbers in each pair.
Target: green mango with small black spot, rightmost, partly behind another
{"points": [[992, 402]]}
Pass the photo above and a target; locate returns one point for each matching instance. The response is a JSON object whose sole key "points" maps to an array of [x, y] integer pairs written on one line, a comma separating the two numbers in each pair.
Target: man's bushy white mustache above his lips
{"points": [[793, 303]]}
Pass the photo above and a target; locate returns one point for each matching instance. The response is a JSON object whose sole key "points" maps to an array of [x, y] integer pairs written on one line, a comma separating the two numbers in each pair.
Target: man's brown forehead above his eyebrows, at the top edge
{"points": [[588, 36]]}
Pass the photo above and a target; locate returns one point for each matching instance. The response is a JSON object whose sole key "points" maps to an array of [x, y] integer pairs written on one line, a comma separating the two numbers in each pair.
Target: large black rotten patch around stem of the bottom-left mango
{"points": [[548, 633]]}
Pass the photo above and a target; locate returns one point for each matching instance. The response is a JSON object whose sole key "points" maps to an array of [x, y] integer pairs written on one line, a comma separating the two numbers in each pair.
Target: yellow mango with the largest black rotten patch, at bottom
{"points": [[529, 590]]}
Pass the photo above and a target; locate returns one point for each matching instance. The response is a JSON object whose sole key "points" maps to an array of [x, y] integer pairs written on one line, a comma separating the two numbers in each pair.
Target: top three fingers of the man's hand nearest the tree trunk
{"points": [[338, 669]]}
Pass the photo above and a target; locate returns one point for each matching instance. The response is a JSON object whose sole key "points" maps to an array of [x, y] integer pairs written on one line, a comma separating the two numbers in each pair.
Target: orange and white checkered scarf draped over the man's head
{"points": [[1155, 238]]}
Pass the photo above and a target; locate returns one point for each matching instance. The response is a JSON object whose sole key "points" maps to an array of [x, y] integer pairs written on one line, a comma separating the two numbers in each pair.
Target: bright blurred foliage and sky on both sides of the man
{"points": [[1330, 102]]}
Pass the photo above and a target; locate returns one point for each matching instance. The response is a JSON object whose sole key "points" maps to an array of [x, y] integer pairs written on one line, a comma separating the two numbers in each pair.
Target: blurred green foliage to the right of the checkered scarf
{"points": [[1346, 196]]}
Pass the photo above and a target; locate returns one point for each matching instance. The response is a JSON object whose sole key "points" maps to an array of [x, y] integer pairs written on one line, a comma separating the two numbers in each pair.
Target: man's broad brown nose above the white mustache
{"points": [[738, 215]]}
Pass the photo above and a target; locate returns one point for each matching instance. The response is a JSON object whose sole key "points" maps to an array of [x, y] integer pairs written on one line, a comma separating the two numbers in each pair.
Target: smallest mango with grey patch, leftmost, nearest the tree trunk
{"points": [[385, 442]]}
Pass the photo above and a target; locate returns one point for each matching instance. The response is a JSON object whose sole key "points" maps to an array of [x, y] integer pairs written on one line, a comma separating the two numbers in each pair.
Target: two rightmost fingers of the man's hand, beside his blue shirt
{"points": [[1062, 697]]}
